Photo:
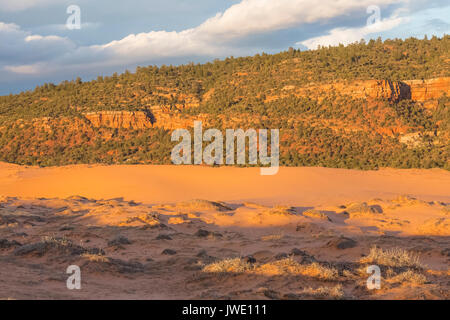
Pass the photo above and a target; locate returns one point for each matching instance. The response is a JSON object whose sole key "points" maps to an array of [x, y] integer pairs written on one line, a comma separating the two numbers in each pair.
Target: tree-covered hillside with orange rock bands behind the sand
{"points": [[325, 102]]}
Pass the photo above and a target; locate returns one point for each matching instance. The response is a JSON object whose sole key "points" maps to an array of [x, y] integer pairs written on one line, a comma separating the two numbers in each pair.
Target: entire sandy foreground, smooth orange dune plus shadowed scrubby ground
{"points": [[167, 232]]}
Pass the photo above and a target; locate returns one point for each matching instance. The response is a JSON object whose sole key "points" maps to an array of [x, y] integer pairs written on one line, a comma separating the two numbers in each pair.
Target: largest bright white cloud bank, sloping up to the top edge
{"points": [[243, 19]]}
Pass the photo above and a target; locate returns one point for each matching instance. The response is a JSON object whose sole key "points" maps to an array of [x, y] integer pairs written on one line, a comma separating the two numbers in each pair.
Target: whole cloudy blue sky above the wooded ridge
{"points": [[38, 41]]}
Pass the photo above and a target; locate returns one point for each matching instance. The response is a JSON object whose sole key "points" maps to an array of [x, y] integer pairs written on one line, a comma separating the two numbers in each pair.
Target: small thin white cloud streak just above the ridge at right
{"points": [[349, 35]]}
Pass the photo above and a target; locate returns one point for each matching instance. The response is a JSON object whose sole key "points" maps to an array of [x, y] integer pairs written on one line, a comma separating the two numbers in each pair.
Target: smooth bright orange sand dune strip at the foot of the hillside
{"points": [[161, 184]]}
